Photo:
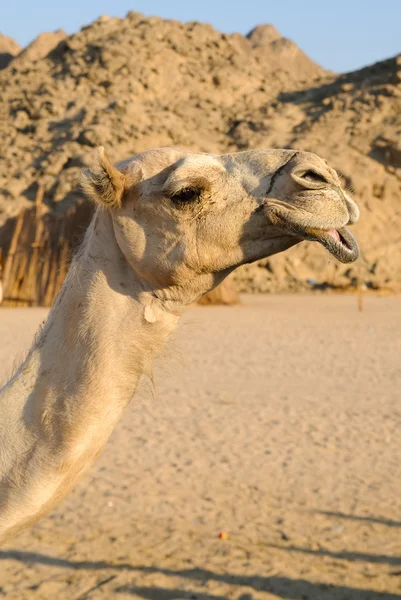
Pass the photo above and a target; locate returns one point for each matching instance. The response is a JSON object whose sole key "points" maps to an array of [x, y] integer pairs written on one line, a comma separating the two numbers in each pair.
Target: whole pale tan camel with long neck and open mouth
{"points": [[169, 226]]}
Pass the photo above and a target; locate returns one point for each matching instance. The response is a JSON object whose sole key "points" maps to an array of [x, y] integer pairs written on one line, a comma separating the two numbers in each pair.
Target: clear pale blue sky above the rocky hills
{"points": [[341, 35]]}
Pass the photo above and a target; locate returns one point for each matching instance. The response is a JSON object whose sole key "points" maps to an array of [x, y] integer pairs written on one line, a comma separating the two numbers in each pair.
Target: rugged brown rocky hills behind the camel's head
{"points": [[135, 83]]}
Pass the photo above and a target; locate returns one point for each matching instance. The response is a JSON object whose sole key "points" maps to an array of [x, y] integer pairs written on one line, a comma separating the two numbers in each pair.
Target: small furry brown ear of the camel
{"points": [[103, 182]]}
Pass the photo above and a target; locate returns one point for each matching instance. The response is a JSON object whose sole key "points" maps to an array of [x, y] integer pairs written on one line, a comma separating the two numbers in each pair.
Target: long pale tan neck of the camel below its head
{"points": [[64, 401]]}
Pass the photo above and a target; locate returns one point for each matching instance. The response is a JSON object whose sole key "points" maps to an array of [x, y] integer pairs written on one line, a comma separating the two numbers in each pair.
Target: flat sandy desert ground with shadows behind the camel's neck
{"points": [[277, 422]]}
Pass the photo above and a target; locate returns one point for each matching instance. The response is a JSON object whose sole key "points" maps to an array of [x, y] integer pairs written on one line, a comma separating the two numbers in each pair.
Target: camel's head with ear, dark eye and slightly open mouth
{"points": [[185, 220]]}
